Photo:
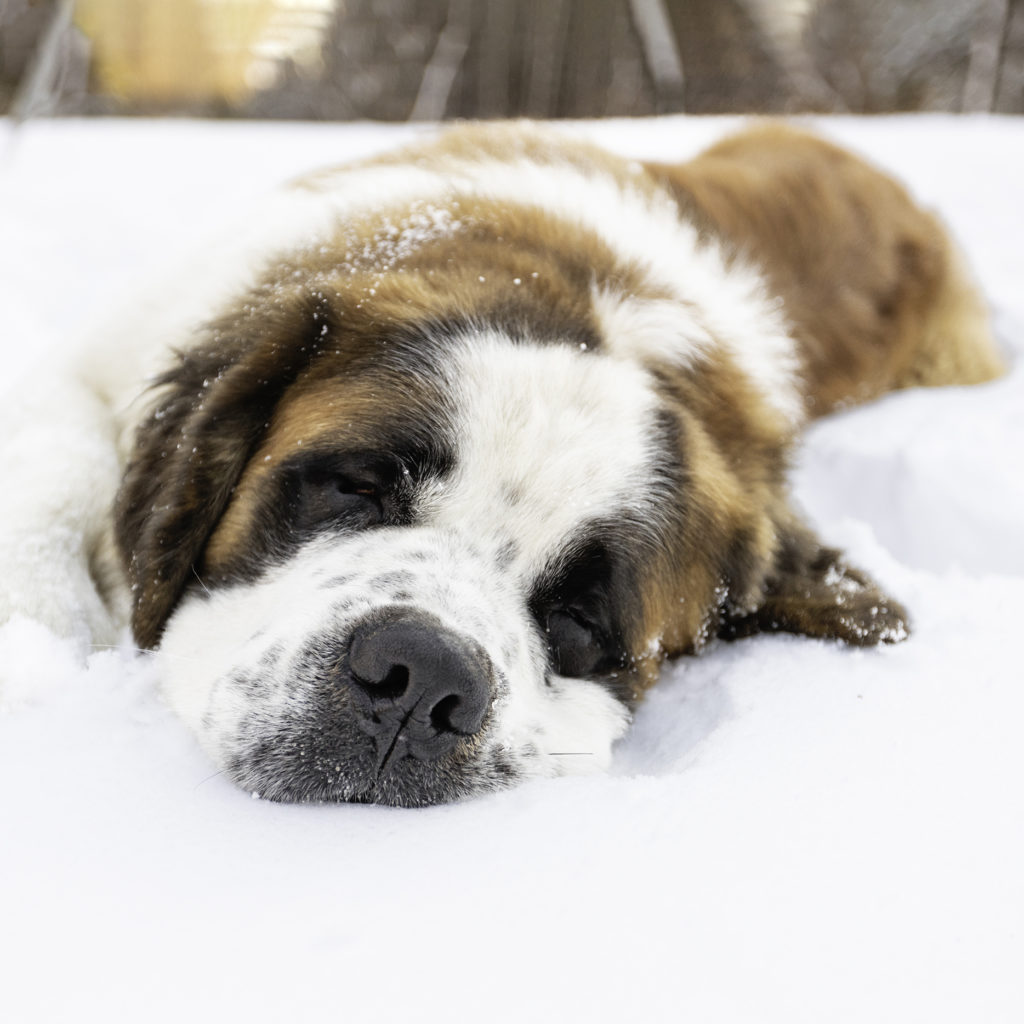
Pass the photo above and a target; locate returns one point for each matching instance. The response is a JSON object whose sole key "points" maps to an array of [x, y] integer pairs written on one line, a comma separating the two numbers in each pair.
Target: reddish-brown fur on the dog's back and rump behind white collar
{"points": [[878, 295]]}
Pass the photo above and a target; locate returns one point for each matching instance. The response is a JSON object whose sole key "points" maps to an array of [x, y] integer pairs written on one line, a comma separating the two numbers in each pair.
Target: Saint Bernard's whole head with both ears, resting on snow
{"points": [[405, 537]]}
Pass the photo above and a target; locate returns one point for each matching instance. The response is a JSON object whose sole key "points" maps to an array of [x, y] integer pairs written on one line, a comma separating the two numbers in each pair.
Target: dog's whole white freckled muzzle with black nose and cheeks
{"points": [[394, 667]]}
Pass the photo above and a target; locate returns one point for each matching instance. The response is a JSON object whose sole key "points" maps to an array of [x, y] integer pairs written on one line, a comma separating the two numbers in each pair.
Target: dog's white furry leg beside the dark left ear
{"points": [[60, 470]]}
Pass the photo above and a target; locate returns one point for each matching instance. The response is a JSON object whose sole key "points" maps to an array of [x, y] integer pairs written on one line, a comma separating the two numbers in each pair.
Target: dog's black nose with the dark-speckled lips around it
{"points": [[401, 716]]}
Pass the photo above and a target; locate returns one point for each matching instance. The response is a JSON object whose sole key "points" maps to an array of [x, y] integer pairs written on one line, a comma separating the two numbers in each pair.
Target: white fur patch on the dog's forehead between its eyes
{"points": [[548, 439]]}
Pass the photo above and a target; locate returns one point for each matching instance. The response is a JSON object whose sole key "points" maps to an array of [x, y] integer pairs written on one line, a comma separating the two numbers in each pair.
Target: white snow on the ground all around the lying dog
{"points": [[792, 832]]}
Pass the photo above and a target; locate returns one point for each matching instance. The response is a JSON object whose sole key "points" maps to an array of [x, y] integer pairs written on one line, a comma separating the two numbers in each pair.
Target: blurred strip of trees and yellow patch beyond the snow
{"points": [[432, 60]]}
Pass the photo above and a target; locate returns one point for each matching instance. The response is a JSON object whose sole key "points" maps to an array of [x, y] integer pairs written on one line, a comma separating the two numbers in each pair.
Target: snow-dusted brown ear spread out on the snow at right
{"points": [[813, 591]]}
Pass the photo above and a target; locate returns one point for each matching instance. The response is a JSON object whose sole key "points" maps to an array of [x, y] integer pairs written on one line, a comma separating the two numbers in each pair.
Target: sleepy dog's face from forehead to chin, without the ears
{"points": [[438, 576]]}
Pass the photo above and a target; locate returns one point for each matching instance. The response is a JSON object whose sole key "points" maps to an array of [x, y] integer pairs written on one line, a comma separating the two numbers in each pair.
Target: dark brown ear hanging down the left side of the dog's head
{"points": [[210, 412]]}
